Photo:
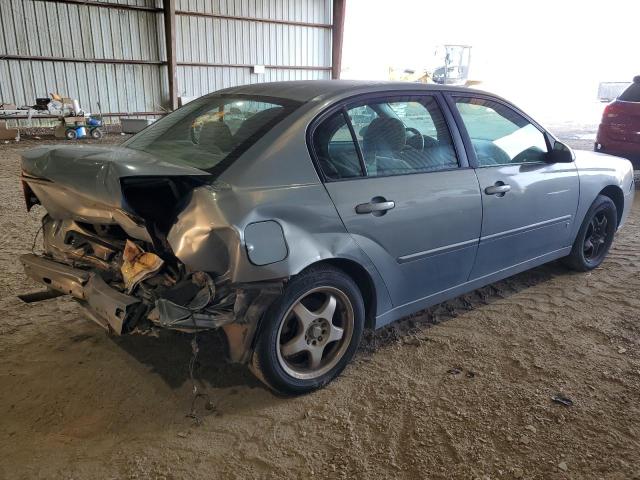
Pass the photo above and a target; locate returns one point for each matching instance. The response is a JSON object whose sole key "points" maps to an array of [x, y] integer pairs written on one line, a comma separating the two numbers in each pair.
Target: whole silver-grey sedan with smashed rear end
{"points": [[294, 215]]}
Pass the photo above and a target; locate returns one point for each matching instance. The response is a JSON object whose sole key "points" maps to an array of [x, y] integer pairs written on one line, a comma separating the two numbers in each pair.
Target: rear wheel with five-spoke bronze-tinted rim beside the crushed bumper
{"points": [[298, 350]]}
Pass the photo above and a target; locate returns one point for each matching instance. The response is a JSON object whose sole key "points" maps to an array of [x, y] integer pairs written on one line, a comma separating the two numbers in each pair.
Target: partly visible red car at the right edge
{"points": [[619, 131]]}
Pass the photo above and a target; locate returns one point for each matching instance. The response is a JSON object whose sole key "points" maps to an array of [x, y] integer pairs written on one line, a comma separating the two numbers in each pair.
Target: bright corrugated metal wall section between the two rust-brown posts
{"points": [[214, 53]]}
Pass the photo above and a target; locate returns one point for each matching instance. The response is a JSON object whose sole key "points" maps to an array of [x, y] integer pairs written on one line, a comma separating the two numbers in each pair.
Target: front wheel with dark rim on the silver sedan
{"points": [[594, 240]]}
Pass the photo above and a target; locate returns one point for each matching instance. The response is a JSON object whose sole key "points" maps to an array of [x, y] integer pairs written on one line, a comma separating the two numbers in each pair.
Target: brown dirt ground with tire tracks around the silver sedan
{"points": [[463, 390]]}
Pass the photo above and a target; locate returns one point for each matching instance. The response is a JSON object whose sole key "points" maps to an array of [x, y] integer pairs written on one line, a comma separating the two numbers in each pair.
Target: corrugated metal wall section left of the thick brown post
{"points": [[82, 31]]}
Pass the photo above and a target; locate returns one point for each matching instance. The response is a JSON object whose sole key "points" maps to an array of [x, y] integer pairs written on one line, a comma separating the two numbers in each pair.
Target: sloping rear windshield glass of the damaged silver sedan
{"points": [[212, 131]]}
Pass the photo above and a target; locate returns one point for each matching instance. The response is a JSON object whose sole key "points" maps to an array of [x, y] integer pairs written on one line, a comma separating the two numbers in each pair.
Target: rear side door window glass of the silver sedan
{"points": [[388, 136]]}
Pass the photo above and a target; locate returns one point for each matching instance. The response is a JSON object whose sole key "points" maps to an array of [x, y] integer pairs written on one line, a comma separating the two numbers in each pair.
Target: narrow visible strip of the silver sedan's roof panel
{"points": [[308, 90]]}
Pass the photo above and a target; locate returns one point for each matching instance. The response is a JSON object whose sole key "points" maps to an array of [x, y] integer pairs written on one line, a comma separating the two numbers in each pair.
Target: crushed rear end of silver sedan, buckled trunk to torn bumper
{"points": [[115, 220]]}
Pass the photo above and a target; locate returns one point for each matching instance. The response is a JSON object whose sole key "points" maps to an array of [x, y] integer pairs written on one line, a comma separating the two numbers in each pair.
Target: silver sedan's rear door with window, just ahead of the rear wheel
{"points": [[410, 202]]}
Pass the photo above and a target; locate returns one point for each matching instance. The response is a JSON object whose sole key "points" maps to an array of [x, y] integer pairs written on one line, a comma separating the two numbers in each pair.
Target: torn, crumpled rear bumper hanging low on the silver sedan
{"points": [[238, 311]]}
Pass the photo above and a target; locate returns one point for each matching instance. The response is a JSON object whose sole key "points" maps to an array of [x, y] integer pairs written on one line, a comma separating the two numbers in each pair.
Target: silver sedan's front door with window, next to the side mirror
{"points": [[529, 205]]}
